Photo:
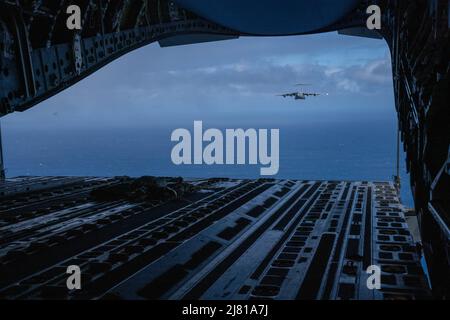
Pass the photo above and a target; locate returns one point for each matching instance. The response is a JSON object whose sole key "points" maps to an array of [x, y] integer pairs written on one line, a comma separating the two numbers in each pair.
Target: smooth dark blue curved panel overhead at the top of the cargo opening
{"points": [[269, 17]]}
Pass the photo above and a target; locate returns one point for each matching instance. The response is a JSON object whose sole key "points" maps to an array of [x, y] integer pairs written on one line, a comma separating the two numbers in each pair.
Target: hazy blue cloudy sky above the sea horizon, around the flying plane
{"points": [[228, 83]]}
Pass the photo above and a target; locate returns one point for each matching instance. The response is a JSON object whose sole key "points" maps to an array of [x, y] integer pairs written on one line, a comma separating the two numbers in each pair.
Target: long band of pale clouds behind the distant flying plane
{"points": [[256, 77]]}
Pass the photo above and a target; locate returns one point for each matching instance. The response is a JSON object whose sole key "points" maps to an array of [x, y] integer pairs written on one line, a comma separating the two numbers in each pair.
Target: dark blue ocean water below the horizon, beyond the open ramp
{"points": [[350, 151]]}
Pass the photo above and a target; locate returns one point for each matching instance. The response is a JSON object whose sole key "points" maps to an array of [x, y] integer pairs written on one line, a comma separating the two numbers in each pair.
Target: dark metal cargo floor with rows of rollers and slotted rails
{"points": [[228, 239]]}
